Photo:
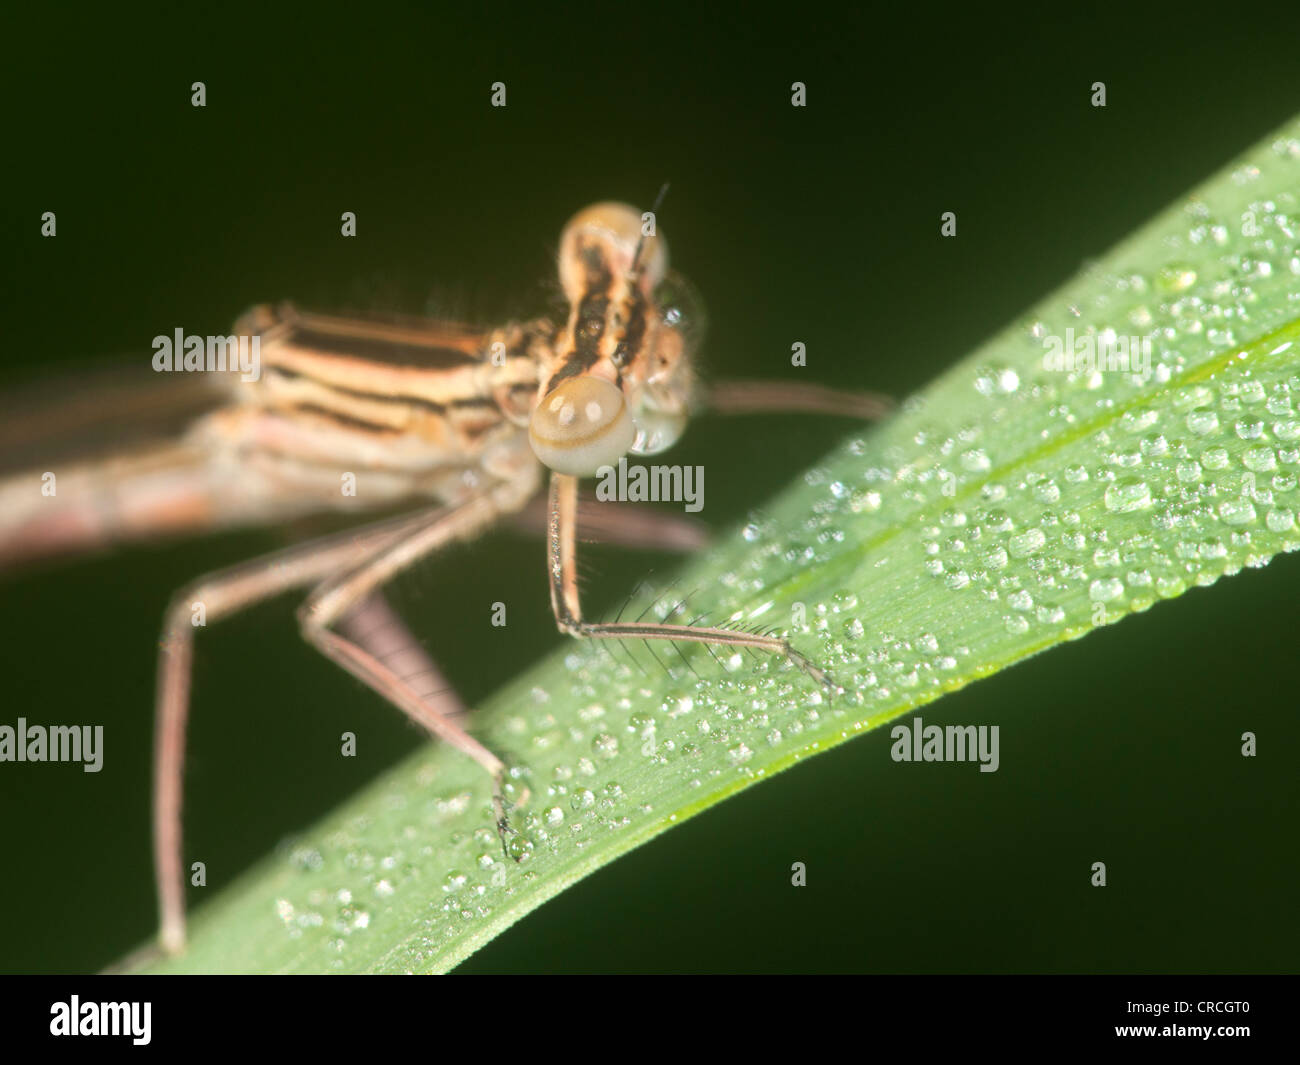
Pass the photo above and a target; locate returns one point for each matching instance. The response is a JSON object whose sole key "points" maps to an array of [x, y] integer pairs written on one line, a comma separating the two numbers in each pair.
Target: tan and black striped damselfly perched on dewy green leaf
{"points": [[352, 414]]}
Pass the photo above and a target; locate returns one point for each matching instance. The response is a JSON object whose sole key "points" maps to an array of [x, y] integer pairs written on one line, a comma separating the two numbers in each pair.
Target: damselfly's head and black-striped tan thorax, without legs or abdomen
{"points": [[428, 412]]}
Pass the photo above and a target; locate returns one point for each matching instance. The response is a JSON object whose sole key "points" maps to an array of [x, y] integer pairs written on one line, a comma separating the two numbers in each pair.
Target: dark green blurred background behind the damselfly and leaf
{"points": [[821, 226]]}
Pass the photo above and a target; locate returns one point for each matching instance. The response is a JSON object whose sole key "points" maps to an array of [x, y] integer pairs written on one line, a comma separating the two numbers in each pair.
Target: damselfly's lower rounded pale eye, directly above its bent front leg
{"points": [[582, 426]]}
